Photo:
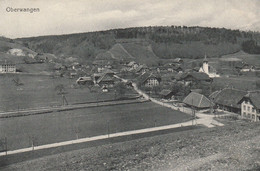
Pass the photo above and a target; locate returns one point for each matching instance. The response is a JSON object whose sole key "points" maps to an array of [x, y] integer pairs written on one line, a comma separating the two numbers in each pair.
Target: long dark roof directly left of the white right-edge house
{"points": [[230, 97]]}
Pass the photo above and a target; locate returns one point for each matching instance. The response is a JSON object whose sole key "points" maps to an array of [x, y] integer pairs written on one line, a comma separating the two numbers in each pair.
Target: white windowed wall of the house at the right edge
{"points": [[249, 111]]}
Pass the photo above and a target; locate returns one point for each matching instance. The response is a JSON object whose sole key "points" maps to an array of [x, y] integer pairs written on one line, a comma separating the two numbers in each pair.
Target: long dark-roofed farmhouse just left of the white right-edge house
{"points": [[228, 98]]}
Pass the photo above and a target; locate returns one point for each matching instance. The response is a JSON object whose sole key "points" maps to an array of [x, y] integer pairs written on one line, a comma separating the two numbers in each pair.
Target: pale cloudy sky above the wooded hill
{"points": [[58, 17]]}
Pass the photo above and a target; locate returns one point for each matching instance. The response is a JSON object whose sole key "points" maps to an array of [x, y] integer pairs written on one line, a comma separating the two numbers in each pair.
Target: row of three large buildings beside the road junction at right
{"points": [[244, 103]]}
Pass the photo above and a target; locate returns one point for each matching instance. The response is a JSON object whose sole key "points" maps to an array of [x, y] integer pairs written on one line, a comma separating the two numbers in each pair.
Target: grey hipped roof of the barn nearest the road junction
{"points": [[197, 100]]}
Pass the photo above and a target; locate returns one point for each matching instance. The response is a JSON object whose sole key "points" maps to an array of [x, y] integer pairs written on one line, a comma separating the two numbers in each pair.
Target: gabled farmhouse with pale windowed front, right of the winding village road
{"points": [[148, 80]]}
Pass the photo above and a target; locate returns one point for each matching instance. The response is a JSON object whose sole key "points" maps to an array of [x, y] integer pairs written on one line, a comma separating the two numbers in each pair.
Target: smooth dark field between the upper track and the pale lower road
{"points": [[62, 126]]}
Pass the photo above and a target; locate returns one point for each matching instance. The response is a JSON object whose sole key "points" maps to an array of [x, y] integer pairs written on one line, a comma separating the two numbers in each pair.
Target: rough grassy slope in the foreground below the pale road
{"points": [[233, 147]]}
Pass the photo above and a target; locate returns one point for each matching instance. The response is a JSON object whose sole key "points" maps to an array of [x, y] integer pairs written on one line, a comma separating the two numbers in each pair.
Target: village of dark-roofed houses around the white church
{"points": [[174, 82]]}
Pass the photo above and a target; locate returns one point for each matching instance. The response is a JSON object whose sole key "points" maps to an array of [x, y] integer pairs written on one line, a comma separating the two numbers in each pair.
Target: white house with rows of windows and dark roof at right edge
{"points": [[250, 106]]}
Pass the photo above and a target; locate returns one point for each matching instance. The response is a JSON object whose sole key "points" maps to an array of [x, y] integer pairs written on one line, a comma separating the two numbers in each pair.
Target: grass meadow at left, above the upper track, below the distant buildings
{"points": [[39, 91]]}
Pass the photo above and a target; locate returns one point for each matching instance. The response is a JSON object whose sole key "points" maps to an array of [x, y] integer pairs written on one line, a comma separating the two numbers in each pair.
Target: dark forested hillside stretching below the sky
{"points": [[165, 42]]}
